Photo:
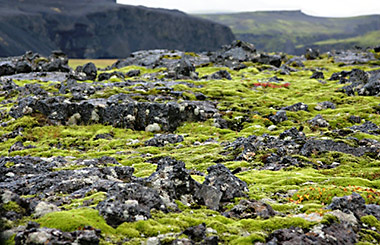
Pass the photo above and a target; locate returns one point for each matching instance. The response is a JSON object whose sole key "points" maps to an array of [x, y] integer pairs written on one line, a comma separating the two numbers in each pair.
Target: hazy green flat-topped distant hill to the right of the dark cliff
{"points": [[293, 31]]}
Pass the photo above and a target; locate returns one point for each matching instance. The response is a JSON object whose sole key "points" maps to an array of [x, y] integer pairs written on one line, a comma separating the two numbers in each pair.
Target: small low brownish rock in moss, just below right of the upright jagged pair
{"points": [[250, 209]]}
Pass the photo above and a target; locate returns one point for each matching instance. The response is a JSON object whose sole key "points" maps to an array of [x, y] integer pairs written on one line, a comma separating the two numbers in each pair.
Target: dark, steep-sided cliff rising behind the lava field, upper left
{"points": [[102, 29]]}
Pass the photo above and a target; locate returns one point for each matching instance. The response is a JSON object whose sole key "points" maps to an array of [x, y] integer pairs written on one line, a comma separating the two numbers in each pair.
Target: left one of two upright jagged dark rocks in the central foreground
{"points": [[172, 181]]}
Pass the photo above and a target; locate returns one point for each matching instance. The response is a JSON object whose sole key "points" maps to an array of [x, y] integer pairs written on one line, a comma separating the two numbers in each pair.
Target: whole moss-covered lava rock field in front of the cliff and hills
{"points": [[168, 147]]}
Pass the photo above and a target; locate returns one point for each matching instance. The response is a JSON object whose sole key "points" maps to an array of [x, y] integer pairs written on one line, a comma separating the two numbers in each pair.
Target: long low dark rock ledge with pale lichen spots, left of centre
{"points": [[135, 115]]}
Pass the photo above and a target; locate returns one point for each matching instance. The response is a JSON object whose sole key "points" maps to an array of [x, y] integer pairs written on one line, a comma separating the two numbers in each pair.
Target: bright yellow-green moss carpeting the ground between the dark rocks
{"points": [[289, 191]]}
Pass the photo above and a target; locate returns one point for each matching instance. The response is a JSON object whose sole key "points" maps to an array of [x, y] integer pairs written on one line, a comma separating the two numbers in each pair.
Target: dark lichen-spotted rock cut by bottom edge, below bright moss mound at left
{"points": [[33, 234]]}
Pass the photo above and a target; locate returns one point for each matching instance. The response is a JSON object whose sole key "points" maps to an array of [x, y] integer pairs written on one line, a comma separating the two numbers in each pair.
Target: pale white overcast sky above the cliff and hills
{"points": [[329, 8]]}
